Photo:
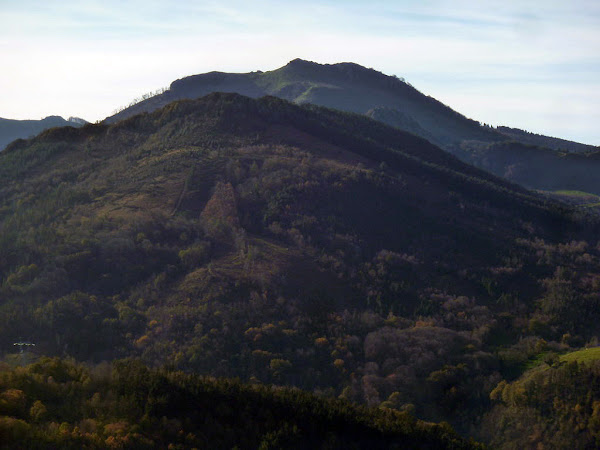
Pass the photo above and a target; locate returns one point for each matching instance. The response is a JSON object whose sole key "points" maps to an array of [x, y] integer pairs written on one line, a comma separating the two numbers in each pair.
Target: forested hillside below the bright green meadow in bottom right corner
{"points": [[556, 404]]}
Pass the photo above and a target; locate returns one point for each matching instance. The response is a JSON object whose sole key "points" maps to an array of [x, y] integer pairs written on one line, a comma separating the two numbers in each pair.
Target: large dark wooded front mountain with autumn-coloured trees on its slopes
{"points": [[291, 245]]}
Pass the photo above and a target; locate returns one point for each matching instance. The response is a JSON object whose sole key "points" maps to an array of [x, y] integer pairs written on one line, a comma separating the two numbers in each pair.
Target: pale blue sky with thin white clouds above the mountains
{"points": [[530, 64]]}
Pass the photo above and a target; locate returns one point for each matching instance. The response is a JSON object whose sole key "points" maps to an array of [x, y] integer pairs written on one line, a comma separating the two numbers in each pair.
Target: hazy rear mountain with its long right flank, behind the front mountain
{"points": [[351, 87]]}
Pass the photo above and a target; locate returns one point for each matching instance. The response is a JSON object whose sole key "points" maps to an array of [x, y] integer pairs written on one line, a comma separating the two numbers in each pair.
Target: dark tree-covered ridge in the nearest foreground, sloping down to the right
{"points": [[59, 404]]}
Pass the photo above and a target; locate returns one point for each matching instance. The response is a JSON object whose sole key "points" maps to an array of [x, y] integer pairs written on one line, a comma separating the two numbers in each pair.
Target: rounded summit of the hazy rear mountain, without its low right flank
{"points": [[343, 86]]}
